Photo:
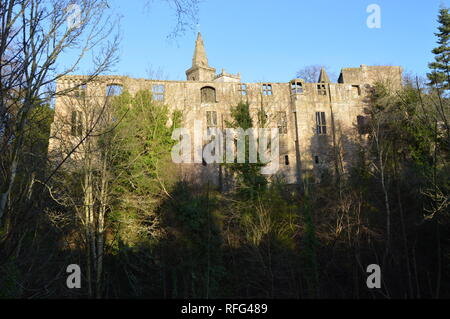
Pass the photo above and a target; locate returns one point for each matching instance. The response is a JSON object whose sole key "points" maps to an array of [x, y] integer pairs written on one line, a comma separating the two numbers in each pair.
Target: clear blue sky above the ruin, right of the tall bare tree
{"points": [[268, 40]]}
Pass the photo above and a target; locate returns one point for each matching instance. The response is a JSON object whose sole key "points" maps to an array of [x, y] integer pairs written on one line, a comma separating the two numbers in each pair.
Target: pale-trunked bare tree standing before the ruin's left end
{"points": [[82, 185]]}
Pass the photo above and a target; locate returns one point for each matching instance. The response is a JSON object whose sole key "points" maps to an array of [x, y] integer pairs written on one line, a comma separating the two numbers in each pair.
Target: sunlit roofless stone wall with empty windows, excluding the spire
{"points": [[301, 148]]}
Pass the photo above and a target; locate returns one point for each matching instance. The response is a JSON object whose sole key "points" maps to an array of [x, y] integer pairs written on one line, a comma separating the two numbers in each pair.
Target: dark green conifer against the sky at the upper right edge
{"points": [[440, 69]]}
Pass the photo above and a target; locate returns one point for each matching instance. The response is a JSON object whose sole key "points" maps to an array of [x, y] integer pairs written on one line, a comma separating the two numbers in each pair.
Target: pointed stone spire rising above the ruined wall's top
{"points": [[200, 70]]}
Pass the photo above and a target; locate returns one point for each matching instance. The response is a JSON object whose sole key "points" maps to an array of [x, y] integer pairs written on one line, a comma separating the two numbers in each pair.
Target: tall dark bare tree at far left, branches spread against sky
{"points": [[34, 35]]}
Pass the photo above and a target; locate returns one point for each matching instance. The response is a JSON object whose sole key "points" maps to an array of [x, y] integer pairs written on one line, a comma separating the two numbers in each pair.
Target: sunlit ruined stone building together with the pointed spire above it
{"points": [[310, 117]]}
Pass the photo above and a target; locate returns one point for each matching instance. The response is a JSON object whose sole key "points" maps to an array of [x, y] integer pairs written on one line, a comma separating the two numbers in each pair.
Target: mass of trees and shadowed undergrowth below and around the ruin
{"points": [[119, 210]]}
